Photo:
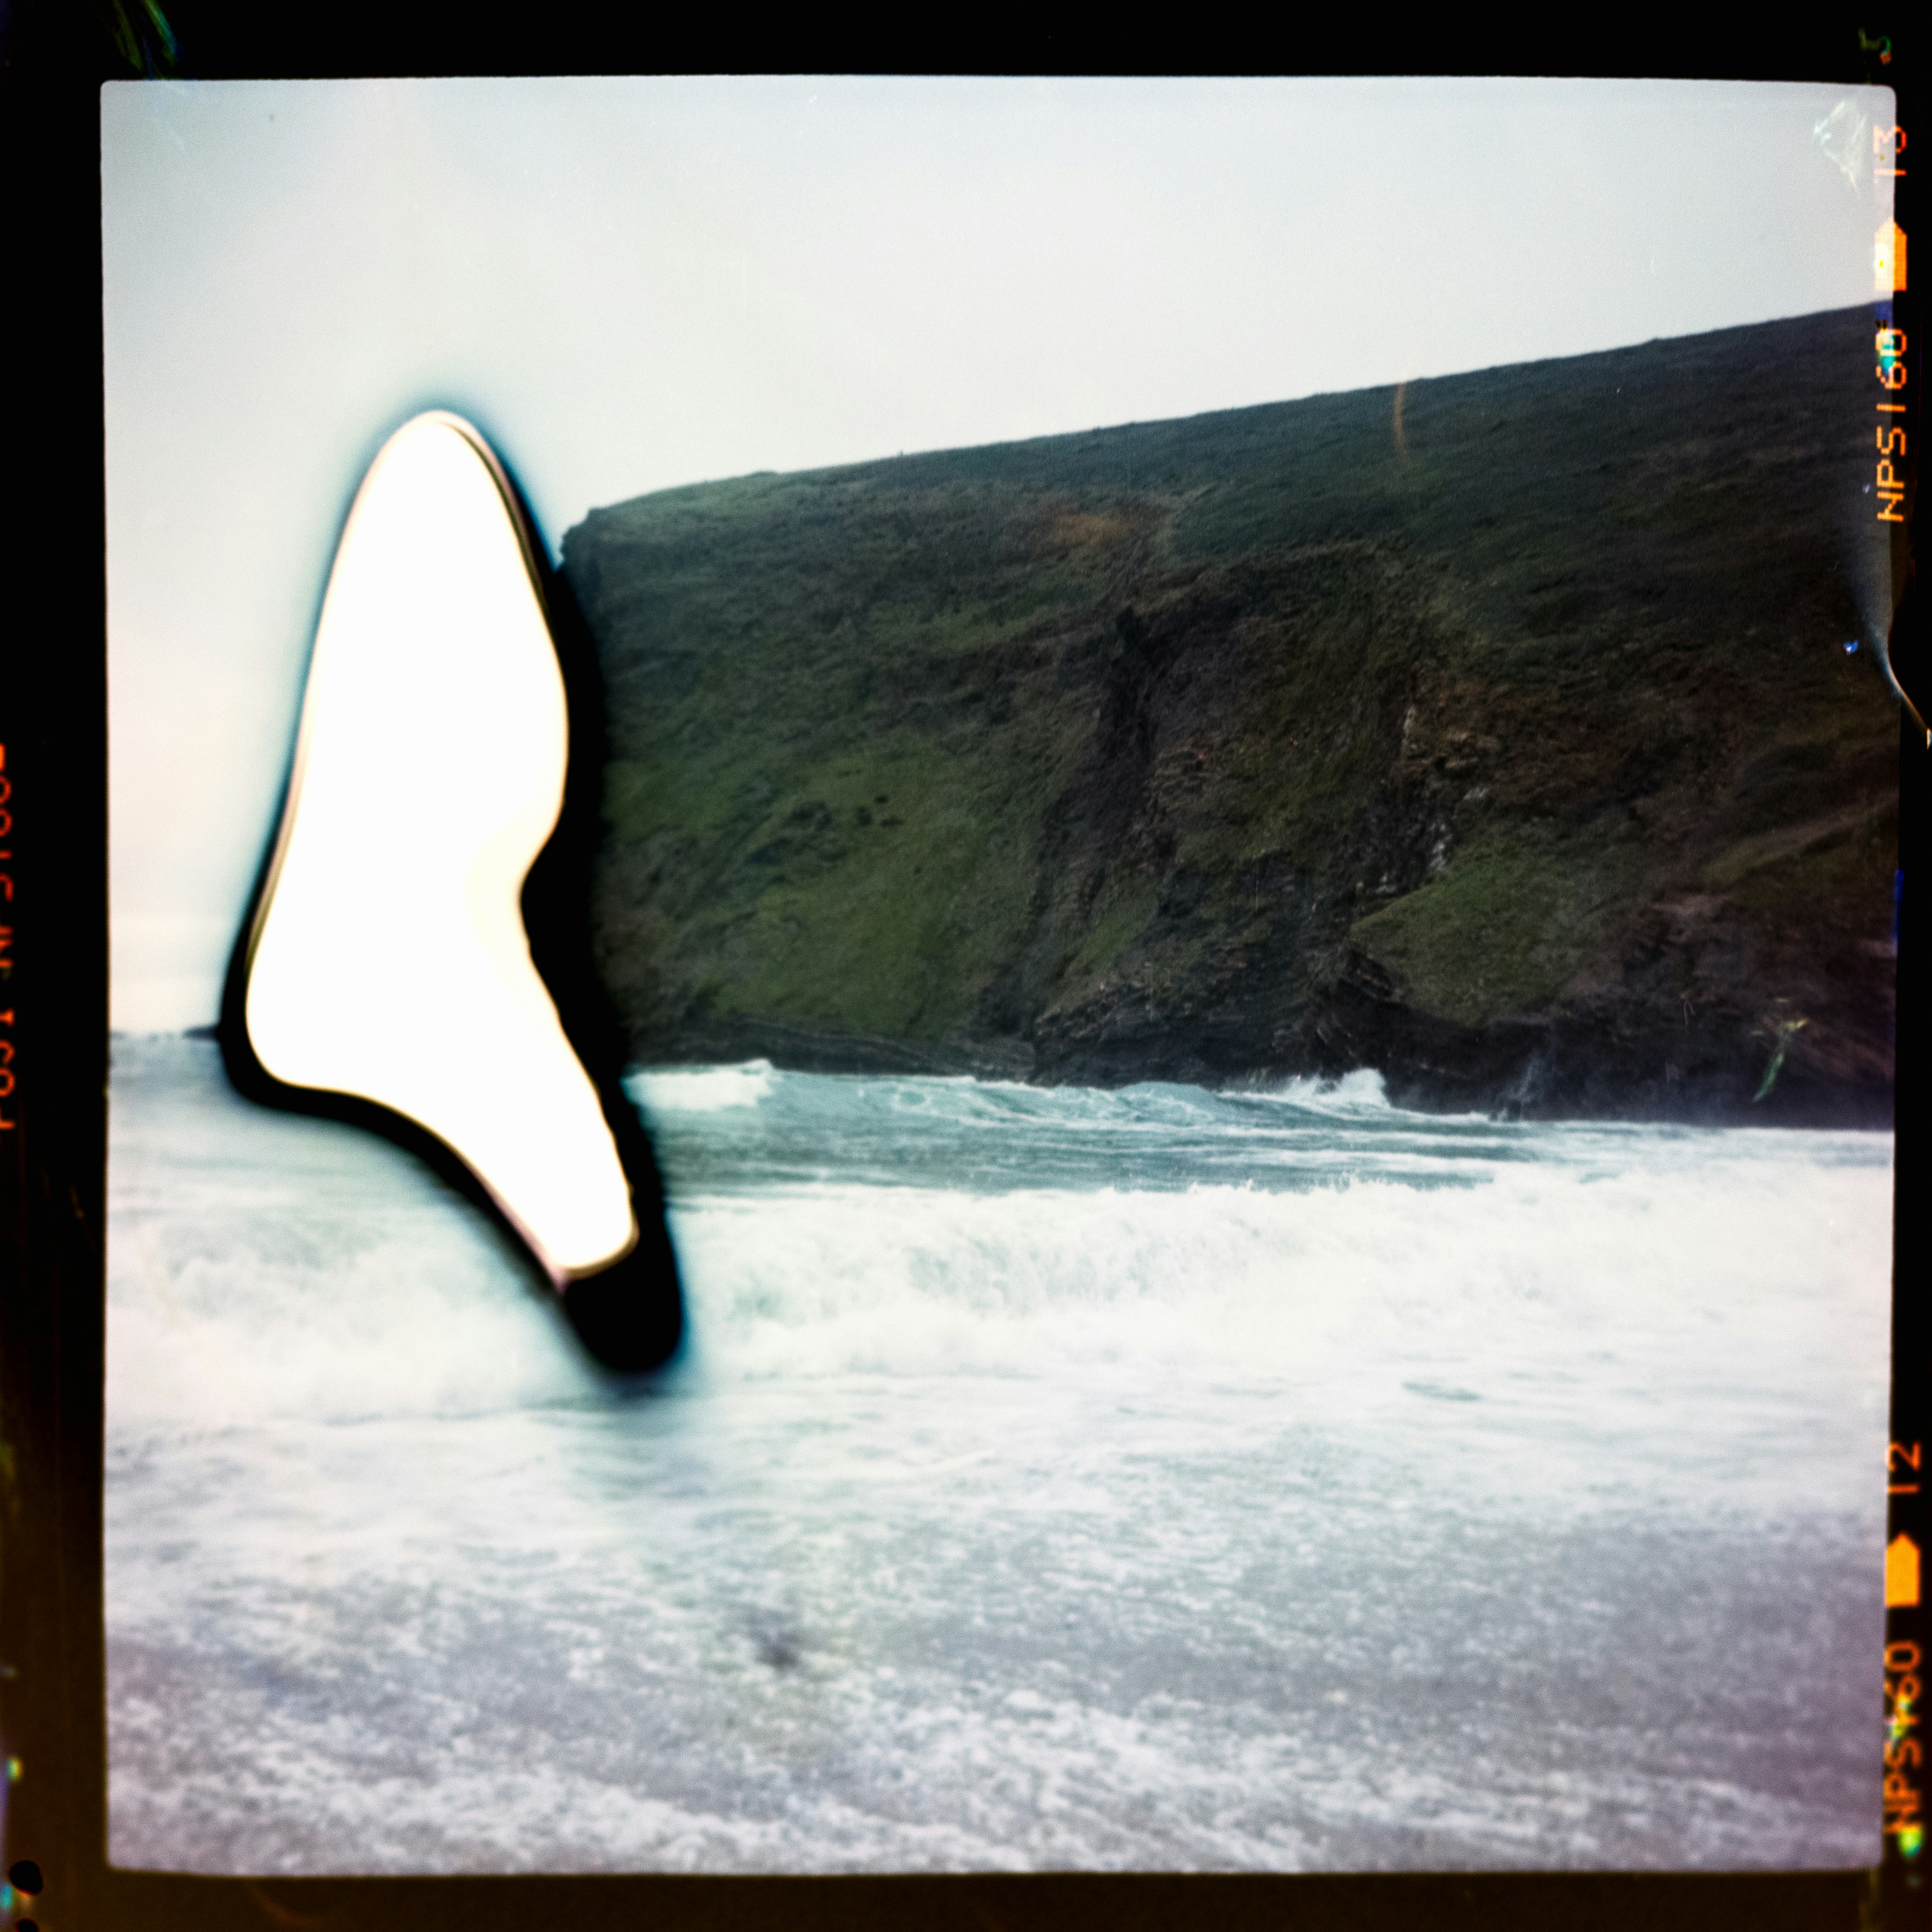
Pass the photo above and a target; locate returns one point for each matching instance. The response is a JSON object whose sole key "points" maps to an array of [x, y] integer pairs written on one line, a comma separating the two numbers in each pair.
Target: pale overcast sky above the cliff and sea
{"points": [[631, 285]]}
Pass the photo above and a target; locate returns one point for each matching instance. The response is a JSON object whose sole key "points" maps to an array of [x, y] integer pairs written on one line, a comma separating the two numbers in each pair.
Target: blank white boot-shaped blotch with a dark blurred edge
{"points": [[389, 957]]}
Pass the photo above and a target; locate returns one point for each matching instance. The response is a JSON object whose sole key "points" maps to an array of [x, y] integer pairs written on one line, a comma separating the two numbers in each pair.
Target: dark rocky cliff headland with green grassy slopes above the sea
{"points": [[1521, 760]]}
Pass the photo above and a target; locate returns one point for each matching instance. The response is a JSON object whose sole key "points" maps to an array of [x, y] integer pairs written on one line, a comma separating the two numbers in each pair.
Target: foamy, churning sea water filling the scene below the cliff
{"points": [[1054, 1479]]}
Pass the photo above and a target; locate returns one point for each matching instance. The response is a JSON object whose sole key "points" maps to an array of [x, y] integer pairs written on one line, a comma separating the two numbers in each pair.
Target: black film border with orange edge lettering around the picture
{"points": [[53, 693]]}
